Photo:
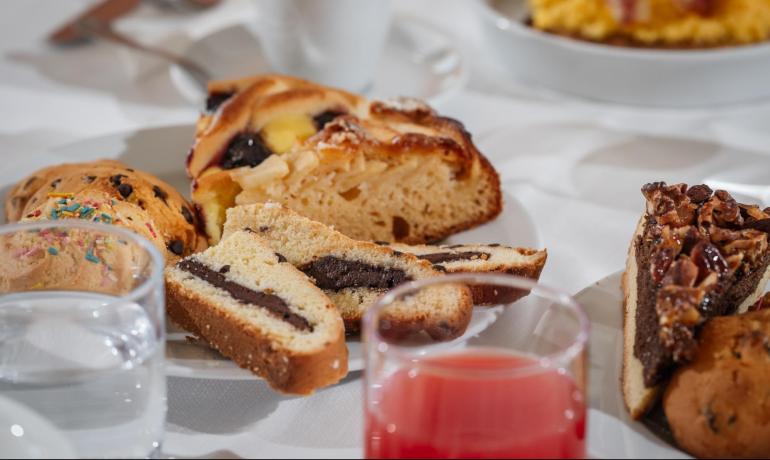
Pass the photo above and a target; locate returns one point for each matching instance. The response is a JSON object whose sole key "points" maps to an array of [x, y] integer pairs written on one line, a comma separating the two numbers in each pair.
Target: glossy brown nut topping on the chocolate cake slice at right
{"points": [[699, 237]]}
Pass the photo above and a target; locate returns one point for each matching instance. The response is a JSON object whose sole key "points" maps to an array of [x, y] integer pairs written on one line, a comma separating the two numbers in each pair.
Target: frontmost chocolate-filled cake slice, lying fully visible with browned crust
{"points": [[261, 312]]}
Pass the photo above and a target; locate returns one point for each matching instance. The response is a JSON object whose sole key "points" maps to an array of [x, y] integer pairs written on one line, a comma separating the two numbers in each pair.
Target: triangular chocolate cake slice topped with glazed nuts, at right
{"points": [[695, 254]]}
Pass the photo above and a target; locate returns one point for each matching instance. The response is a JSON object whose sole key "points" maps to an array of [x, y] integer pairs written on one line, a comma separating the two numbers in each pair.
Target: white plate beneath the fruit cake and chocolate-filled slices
{"points": [[162, 151]]}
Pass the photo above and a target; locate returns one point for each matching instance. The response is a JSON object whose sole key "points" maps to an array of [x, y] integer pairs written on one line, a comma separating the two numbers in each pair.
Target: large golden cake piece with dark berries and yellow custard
{"points": [[375, 170]]}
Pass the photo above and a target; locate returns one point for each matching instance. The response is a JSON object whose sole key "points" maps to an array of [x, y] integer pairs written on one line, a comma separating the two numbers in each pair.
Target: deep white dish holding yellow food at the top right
{"points": [[650, 77]]}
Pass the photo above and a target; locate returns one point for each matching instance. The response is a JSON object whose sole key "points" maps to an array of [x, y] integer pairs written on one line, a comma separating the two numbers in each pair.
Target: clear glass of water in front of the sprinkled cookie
{"points": [[82, 334]]}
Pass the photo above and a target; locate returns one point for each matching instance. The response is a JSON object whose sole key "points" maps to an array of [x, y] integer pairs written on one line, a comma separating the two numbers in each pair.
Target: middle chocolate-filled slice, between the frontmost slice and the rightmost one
{"points": [[355, 273]]}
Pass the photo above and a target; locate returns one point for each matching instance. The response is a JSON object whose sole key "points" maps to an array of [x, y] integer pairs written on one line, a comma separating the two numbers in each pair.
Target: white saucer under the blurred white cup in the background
{"points": [[419, 60]]}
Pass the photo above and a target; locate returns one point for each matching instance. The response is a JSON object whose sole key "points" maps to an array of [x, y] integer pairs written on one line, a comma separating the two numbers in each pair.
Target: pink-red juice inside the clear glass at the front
{"points": [[424, 413]]}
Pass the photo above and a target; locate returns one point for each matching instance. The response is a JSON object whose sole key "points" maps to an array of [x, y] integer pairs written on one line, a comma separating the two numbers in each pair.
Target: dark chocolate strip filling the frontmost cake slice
{"points": [[270, 302]]}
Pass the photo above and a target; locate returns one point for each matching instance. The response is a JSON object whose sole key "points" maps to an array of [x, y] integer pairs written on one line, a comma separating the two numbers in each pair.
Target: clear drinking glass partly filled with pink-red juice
{"points": [[516, 390]]}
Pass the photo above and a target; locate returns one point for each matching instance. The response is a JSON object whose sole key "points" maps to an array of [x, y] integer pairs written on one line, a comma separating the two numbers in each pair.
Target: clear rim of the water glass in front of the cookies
{"points": [[156, 259]]}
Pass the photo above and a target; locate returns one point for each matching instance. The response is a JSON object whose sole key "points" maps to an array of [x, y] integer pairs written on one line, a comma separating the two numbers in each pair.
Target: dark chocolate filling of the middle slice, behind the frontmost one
{"points": [[334, 274]]}
